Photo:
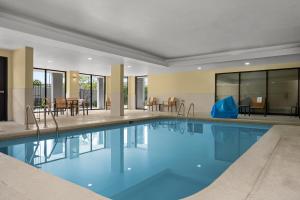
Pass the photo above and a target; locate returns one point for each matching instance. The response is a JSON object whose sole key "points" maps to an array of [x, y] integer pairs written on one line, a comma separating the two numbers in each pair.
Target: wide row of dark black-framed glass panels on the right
{"points": [[277, 89]]}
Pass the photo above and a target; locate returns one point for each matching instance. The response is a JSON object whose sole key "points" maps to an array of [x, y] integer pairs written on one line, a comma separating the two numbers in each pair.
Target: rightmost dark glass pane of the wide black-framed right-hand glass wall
{"points": [[282, 90]]}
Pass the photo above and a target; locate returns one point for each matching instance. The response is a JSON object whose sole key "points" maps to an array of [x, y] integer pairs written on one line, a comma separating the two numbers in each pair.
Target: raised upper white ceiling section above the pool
{"points": [[171, 28]]}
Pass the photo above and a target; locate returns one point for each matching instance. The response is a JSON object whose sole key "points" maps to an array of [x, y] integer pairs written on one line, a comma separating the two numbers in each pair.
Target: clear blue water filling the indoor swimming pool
{"points": [[157, 159]]}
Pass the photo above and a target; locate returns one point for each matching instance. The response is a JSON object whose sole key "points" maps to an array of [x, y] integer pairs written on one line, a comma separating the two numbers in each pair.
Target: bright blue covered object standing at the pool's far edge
{"points": [[225, 108]]}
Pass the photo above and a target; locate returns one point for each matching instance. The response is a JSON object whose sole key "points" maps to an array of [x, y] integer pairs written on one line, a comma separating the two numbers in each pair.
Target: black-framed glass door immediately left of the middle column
{"points": [[92, 89]]}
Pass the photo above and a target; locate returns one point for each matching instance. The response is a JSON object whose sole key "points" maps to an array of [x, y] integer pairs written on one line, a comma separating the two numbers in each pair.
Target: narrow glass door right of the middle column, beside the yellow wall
{"points": [[141, 83]]}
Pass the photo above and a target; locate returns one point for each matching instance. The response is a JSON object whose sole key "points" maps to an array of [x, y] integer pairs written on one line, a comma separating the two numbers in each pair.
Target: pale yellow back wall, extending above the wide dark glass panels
{"points": [[196, 86]]}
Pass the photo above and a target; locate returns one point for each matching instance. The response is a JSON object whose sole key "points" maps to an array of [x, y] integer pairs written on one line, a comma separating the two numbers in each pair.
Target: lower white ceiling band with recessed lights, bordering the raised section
{"points": [[52, 54]]}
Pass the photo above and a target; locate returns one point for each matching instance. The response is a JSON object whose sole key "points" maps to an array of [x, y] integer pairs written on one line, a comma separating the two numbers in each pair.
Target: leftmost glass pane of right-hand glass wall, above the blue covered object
{"points": [[227, 85]]}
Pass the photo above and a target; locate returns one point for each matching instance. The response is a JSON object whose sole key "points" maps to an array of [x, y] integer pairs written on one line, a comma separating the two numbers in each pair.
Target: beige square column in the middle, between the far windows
{"points": [[117, 97]]}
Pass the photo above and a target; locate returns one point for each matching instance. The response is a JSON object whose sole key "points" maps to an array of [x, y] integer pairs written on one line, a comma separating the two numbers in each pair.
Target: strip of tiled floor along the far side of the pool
{"points": [[103, 117]]}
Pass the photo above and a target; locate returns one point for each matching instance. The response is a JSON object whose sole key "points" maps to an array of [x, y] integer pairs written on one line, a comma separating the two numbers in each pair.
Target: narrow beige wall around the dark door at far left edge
{"points": [[8, 55]]}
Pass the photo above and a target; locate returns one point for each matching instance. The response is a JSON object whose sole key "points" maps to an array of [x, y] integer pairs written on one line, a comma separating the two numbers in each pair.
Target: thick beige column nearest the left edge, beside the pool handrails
{"points": [[22, 63]]}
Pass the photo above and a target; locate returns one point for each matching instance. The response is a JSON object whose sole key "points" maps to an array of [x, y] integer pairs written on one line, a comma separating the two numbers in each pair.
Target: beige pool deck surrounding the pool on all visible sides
{"points": [[269, 170]]}
